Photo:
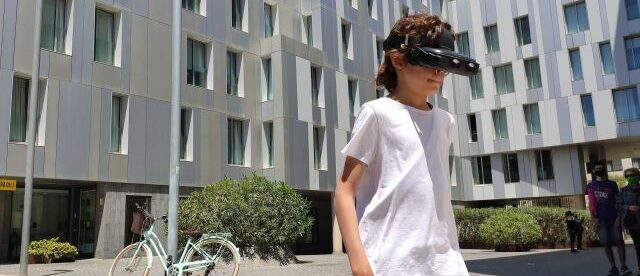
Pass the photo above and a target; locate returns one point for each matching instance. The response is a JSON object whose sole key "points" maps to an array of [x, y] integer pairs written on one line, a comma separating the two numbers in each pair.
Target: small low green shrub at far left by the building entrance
{"points": [[52, 250]]}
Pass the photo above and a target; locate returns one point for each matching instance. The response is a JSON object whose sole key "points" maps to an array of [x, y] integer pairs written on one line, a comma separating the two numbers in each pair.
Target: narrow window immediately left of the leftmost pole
{"points": [[19, 110]]}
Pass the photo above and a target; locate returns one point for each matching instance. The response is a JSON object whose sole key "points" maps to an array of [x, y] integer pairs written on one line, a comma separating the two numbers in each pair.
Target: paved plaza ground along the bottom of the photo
{"points": [[479, 262]]}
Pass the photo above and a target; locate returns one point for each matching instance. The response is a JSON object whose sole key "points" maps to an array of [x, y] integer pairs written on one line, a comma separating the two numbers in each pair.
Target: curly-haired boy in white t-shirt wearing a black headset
{"points": [[397, 166]]}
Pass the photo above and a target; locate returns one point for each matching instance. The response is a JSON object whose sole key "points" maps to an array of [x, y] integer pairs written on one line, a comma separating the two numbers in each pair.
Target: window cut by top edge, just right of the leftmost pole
{"points": [[54, 25]]}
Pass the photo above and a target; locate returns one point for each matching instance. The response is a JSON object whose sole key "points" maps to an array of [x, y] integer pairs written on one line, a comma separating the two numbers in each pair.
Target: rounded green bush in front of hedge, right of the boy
{"points": [[510, 228]]}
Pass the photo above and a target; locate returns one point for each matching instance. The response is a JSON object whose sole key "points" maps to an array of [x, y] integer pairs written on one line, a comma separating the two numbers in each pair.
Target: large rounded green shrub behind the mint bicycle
{"points": [[264, 217]]}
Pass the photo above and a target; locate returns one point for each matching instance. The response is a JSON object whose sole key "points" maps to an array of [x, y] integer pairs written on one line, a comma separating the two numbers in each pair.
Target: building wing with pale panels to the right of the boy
{"points": [[557, 91]]}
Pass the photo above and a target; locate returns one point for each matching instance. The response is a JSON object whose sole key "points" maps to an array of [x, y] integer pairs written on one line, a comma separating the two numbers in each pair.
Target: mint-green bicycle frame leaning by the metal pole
{"points": [[150, 238]]}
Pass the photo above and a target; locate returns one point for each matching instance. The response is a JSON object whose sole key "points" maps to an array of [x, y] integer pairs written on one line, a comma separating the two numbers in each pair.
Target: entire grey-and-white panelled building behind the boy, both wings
{"points": [[273, 86]]}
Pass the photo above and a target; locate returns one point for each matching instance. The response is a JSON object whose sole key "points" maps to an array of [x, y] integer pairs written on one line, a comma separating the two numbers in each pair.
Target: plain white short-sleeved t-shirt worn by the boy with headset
{"points": [[403, 201]]}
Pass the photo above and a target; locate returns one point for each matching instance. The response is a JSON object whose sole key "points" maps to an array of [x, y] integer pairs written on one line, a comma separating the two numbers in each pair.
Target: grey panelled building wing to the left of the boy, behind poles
{"points": [[268, 86]]}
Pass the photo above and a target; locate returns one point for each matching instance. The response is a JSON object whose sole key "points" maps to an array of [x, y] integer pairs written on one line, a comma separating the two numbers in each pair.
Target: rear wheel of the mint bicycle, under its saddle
{"points": [[222, 253]]}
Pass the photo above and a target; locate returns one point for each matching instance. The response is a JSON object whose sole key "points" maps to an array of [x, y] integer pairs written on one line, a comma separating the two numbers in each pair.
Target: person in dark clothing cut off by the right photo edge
{"points": [[628, 203]]}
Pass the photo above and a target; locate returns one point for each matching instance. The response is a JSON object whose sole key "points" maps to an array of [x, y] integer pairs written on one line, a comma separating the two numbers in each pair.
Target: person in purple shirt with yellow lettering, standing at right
{"points": [[602, 194]]}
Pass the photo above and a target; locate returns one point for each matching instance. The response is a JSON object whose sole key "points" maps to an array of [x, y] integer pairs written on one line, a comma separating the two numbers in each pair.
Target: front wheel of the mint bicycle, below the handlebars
{"points": [[131, 261]]}
